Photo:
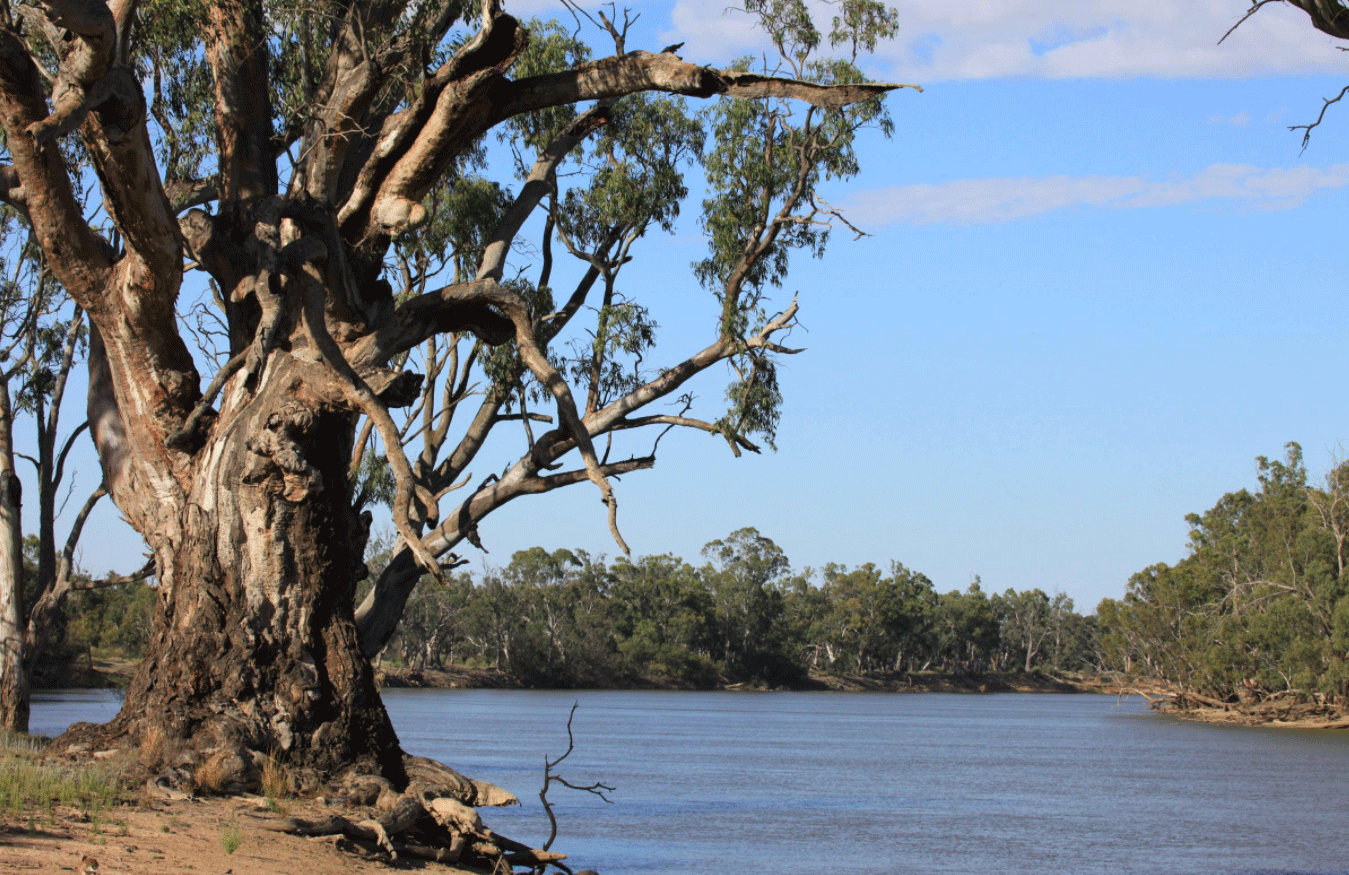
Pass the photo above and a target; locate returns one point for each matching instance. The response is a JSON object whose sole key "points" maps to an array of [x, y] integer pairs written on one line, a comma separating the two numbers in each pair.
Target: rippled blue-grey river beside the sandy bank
{"points": [[799, 784]]}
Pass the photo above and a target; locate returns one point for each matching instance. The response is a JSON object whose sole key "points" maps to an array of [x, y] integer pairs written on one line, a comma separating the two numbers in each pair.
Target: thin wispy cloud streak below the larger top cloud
{"points": [[1003, 200]]}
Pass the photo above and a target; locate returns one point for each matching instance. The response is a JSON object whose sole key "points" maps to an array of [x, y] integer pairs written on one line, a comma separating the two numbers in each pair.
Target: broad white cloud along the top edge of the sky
{"points": [[967, 40]]}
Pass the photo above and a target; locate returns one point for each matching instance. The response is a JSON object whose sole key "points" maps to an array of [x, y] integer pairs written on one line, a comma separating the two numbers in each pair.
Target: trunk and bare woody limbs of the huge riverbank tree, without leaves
{"points": [[241, 487]]}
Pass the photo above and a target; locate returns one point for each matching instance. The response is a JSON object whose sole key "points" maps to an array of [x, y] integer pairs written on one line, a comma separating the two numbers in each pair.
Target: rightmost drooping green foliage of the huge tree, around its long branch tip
{"points": [[763, 184]]}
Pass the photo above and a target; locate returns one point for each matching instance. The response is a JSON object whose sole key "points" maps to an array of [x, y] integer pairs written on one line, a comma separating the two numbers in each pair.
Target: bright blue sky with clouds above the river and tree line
{"points": [[1103, 278]]}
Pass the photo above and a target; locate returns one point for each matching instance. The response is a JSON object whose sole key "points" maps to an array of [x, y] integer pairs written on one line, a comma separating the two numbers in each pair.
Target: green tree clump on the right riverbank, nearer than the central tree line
{"points": [[1259, 609]]}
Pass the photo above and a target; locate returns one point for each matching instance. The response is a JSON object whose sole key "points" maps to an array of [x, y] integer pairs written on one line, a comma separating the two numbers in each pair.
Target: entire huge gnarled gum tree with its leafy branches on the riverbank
{"points": [[287, 150]]}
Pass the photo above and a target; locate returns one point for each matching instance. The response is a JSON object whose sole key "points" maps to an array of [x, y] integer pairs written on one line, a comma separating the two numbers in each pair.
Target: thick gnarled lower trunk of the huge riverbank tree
{"points": [[254, 644]]}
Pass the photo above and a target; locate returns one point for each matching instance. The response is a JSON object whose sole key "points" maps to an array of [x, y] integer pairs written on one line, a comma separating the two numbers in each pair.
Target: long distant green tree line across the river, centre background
{"points": [[571, 620]]}
